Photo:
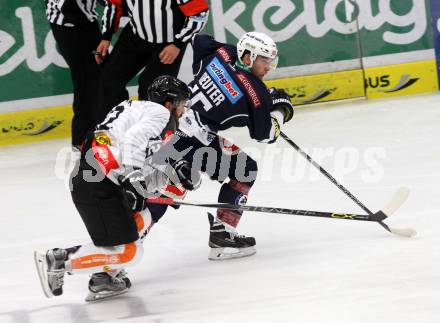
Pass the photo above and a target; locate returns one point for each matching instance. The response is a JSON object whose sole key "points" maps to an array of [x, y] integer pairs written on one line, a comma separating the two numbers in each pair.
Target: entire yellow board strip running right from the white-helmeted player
{"points": [[372, 83]]}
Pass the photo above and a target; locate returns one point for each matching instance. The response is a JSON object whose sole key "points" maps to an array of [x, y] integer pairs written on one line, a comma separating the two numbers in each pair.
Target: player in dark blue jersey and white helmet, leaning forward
{"points": [[228, 91]]}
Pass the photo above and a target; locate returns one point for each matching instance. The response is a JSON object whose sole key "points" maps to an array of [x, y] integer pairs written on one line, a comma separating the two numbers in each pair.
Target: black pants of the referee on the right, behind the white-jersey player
{"points": [[129, 56]]}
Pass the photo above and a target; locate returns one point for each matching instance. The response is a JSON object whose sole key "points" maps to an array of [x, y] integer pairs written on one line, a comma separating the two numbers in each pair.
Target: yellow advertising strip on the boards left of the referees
{"points": [[35, 125]]}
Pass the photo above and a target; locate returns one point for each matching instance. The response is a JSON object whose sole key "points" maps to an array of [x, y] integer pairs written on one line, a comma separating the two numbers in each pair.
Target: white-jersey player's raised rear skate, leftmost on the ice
{"points": [[50, 268]]}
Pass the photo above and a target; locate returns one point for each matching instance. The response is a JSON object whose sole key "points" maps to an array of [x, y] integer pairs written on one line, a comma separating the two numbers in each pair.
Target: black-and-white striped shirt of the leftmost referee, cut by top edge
{"points": [[70, 12]]}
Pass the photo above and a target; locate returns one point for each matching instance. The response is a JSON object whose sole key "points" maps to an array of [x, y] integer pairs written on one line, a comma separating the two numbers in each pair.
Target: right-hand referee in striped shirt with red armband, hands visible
{"points": [[154, 39]]}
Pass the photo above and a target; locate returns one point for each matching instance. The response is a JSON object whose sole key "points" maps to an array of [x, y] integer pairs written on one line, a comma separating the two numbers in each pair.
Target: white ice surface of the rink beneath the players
{"points": [[306, 270]]}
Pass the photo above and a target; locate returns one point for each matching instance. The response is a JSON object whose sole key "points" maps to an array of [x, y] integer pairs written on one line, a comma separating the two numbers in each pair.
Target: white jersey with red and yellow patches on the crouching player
{"points": [[128, 136]]}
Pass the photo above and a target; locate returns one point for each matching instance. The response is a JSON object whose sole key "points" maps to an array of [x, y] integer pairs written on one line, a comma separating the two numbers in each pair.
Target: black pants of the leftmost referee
{"points": [[76, 45]]}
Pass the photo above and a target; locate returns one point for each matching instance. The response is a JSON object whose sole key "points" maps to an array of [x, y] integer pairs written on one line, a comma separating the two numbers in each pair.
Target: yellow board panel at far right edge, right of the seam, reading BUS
{"points": [[401, 79]]}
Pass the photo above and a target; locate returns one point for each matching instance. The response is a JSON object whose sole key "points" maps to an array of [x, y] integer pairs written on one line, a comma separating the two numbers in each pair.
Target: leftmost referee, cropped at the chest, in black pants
{"points": [[75, 26]]}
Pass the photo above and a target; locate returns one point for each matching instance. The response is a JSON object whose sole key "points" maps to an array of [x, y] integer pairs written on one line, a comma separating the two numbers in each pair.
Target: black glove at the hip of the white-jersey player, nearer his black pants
{"points": [[133, 185]]}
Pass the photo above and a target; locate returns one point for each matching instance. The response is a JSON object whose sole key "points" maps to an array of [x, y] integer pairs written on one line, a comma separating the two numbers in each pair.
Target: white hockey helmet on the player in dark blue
{"points": [[258, 44]]}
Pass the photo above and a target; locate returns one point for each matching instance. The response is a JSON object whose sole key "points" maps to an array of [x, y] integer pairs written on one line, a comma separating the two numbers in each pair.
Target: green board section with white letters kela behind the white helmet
{"points": [[306, 31]]}
